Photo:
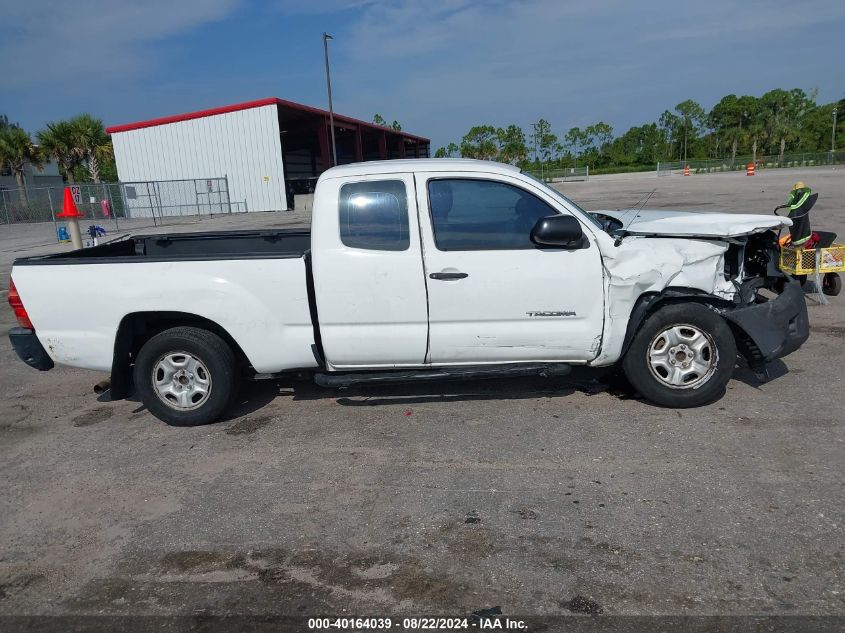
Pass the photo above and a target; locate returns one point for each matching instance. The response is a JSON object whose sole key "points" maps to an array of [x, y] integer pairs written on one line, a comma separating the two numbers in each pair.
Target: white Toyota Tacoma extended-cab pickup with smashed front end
{"points": [[417, 270]]}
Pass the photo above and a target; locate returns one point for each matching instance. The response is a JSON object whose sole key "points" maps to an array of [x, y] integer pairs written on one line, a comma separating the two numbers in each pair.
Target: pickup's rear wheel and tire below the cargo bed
{"points": [[185, 376]]}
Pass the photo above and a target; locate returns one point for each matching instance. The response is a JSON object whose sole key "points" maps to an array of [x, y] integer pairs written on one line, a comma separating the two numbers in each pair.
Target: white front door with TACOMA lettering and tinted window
{"points": [[494, 296]]}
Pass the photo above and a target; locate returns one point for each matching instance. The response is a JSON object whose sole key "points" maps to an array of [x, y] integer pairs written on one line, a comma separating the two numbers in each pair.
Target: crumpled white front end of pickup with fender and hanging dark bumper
{"points": [[736, 276]]}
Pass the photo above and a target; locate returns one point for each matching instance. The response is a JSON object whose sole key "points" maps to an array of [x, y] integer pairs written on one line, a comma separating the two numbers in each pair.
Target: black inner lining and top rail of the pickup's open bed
{"points": [[259, 244]]}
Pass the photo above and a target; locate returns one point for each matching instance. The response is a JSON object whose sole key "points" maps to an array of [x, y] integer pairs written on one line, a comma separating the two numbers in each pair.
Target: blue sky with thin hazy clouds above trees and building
{"points": [[438, 67]]}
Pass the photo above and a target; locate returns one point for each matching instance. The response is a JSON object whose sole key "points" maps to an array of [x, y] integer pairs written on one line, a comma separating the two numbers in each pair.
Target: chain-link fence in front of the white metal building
{"points": [[112, 203]]}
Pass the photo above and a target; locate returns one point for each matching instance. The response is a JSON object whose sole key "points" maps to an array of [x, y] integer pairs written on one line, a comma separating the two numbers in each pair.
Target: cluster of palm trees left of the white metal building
{"points": [[79, 146]]}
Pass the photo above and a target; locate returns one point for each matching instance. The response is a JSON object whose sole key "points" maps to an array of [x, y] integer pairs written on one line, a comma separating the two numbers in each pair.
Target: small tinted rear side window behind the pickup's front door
{"points": [[374, 215]]}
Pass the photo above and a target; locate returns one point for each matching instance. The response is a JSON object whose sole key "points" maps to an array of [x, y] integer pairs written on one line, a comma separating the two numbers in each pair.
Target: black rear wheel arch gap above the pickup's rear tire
{"points": [[137, 328]]}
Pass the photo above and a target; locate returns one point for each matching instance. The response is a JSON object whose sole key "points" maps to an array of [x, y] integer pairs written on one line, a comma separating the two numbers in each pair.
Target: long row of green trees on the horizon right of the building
{"points": [[780, 121]]}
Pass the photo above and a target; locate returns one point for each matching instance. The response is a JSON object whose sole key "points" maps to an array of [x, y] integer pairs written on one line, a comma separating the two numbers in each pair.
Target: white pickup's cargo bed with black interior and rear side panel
{"points": [[254, 285]]}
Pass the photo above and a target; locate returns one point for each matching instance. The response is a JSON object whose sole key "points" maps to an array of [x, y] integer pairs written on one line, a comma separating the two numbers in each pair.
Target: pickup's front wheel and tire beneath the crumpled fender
{"points": [[702, 347]]}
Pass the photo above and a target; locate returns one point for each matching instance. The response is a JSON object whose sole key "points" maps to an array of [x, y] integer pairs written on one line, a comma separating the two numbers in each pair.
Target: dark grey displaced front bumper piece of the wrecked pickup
{"points": [[777, 327]]}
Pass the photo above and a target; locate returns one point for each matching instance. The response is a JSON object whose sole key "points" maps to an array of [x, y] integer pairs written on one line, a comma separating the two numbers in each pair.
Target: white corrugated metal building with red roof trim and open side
{"points": [[268, 150]]}
